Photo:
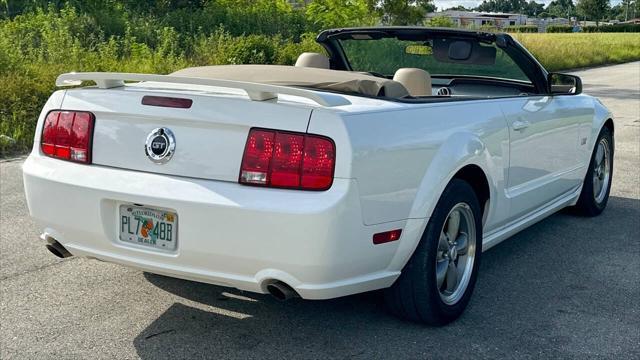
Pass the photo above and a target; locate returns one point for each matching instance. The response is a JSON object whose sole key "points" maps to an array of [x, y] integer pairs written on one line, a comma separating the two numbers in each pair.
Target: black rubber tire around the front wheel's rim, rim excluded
{"points": [[588, 204]]}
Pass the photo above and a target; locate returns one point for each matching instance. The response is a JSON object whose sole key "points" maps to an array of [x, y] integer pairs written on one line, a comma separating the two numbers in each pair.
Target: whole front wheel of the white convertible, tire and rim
{"points": [[597, 183]]}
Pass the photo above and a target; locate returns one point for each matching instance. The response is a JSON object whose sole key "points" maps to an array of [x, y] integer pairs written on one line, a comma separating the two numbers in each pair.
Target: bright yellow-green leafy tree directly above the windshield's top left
{"points": [[339, 13]]}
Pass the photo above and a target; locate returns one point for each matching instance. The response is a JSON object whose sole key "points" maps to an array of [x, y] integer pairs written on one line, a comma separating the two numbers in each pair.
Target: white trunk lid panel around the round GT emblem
{"points": [[209, 135]]}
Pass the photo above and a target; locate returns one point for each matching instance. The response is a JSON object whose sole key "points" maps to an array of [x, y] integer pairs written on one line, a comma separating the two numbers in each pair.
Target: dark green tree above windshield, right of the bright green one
{"points": [[402, 12]]}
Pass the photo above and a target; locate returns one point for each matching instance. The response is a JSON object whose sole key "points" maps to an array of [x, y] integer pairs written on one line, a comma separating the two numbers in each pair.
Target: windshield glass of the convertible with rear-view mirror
{"points": [[438, 56]]}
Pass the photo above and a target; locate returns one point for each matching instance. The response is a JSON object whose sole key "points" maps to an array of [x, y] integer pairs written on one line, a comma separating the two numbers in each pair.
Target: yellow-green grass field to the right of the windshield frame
{"points": [[559, 52]]}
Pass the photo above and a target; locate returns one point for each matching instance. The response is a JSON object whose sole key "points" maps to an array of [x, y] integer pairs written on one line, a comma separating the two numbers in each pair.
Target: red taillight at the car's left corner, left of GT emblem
{"points": [[67, 135]]}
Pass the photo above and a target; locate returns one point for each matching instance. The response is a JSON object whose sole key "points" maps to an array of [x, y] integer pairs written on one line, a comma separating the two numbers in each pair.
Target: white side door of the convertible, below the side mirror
{"points": [[545, 144]]}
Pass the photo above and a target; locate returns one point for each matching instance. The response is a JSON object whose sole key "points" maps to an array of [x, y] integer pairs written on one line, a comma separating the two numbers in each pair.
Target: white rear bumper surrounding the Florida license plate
{"points": [[228, 234]]}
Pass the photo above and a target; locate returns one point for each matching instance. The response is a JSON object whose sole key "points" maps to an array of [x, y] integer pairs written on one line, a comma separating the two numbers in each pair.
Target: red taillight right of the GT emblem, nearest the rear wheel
{"points": [[288, 160]]}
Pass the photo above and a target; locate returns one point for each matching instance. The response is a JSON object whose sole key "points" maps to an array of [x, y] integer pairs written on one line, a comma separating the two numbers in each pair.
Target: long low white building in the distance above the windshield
{"points": [[476, 19]]}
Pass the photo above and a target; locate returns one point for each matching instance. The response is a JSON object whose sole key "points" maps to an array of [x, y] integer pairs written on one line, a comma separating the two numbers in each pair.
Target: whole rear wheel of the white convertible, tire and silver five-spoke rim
{"points": [[436, 284]]}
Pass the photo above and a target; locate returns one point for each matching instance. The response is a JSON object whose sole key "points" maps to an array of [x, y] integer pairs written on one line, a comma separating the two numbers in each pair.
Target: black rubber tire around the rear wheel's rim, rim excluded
{"points": [[415, 295]]}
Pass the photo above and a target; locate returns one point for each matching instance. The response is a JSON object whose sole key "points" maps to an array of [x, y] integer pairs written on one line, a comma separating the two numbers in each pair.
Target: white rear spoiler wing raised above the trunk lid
{"points": [[255, 91]]}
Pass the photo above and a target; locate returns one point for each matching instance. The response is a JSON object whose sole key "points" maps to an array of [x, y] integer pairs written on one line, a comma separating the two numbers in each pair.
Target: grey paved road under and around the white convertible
{"points": [[567, 287]]}
